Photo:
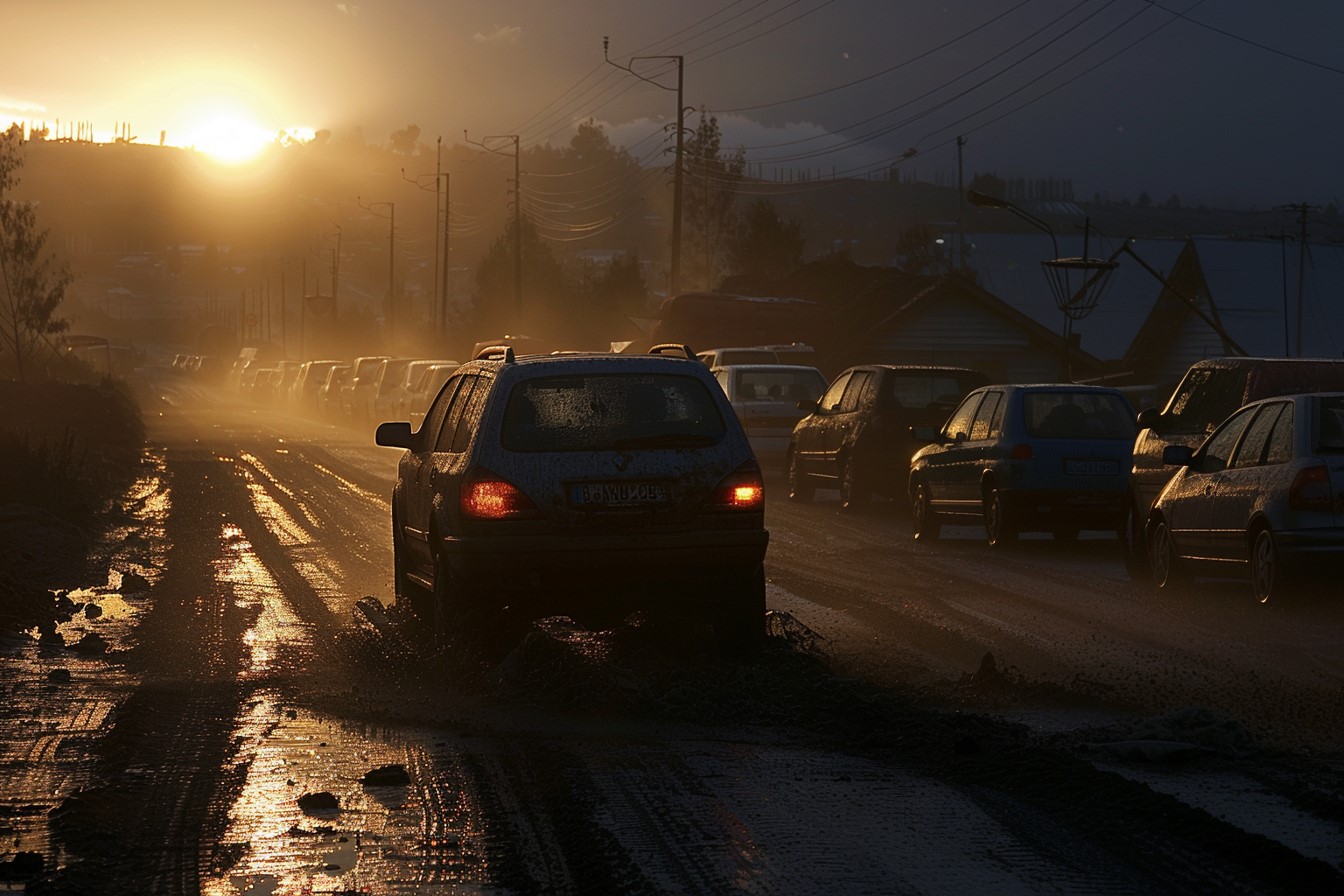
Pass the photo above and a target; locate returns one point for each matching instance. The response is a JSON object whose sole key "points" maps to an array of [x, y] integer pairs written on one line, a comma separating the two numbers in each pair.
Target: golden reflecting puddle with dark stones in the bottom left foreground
{"points": [[398, 839]]}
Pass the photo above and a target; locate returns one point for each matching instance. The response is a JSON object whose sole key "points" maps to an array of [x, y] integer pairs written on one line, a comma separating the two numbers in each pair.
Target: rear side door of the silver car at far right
{"points": [[1238, 491]]}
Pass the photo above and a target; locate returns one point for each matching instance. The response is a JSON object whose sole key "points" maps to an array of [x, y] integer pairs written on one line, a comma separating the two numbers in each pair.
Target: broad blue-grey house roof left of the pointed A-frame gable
{"points": [[1009, 265]]}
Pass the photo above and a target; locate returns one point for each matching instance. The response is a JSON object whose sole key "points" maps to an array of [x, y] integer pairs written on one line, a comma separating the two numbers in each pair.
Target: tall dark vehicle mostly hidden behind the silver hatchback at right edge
{"points": [[1208, 396]]}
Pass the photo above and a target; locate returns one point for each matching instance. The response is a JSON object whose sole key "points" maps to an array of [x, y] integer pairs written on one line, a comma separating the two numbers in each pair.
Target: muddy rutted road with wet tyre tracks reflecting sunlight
{"points": [[924, 719]]}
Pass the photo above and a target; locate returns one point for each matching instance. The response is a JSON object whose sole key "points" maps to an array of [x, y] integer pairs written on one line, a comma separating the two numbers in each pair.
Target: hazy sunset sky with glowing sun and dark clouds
{"points": [[1228, 103]]}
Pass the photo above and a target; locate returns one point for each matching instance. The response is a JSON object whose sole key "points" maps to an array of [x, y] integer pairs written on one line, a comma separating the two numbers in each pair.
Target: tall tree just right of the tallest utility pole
{"points": [[709, 193]]}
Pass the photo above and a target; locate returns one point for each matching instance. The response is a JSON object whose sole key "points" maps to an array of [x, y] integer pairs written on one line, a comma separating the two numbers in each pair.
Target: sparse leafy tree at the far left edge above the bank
{"points": [[33, 285]]}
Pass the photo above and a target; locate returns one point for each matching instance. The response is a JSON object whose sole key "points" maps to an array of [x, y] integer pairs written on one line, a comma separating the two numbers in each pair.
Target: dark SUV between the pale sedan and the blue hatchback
{"points": [[857, 437]]}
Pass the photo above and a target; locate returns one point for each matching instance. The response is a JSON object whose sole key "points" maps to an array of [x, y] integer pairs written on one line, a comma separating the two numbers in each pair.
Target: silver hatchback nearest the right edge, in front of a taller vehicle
{"points": [[1263, 498]]}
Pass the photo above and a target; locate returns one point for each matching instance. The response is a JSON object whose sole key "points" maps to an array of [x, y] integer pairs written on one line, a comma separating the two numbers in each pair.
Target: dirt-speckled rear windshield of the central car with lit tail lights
{"points": [[611, 412]]}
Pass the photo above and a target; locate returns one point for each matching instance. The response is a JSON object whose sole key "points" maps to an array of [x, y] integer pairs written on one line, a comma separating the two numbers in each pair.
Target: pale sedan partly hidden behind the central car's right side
{"points": [[767, 398]]}
